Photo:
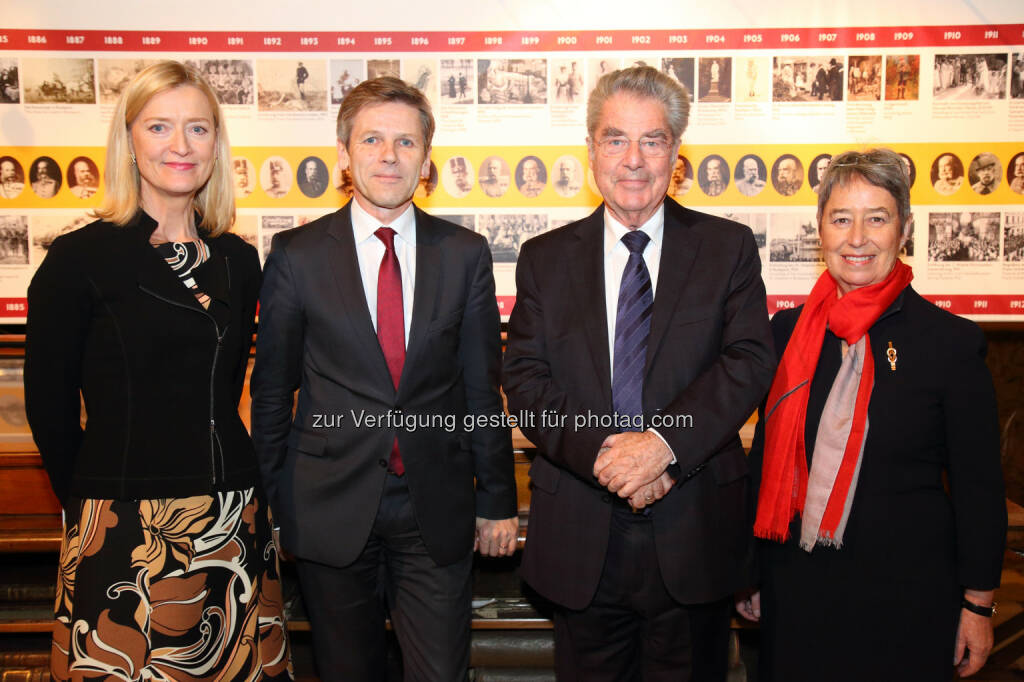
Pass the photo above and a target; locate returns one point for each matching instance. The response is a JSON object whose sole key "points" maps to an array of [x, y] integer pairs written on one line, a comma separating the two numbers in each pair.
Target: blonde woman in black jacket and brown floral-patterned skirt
{"points": [[167, 569]]}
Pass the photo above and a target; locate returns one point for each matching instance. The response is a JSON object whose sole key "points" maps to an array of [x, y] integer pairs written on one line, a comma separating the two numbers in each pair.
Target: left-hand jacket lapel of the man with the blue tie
{"points": [[587, 267]]}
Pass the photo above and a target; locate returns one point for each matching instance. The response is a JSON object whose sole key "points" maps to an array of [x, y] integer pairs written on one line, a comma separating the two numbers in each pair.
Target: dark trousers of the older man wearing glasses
{"points": [[633, 629]]}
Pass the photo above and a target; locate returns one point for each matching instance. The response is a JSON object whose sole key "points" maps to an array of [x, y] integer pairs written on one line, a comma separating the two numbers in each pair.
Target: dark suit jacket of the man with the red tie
{"points": [[324, 473]]}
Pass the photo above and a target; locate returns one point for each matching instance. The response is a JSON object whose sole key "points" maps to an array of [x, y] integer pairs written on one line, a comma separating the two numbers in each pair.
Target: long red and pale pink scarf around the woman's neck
{"points": [[828, 490]]}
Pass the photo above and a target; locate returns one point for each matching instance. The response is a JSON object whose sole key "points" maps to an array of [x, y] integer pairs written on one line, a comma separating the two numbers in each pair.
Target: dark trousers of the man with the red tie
{"points": [[430, 605]]}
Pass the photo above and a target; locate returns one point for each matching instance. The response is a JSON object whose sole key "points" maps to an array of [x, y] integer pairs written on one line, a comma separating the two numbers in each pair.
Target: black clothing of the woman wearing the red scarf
{"points": [[885, 606]]}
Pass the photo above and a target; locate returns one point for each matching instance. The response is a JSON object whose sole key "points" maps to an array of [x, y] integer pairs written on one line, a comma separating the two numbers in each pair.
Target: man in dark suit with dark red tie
{"points": [[386, 321]]}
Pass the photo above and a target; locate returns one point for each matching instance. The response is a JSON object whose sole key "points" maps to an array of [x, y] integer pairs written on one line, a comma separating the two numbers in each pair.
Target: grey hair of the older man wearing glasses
{"points": [[643, 82]]}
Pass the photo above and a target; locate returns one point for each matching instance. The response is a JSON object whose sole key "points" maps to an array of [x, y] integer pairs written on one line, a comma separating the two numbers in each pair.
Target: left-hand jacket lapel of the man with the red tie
{"points": [[345, 266]]}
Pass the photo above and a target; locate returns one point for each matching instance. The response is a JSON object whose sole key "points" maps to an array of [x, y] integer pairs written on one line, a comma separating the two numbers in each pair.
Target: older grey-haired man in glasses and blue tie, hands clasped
{"points": [[641, 338]]}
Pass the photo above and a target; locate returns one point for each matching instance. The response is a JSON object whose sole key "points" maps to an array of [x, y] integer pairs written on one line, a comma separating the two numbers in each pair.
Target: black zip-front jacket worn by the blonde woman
{"points": [[108, 317]]}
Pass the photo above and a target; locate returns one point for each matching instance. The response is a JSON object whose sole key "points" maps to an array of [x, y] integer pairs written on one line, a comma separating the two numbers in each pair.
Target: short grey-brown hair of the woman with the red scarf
{"points": [[881, 167]]}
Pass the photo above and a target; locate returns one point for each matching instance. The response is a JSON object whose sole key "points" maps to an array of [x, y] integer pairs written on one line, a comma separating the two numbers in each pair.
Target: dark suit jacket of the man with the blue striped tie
{"points": [[710, 356]]}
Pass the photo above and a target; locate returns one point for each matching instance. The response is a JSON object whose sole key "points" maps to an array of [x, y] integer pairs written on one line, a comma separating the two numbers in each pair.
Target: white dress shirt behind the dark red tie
{"points": [[370, 252]]}
